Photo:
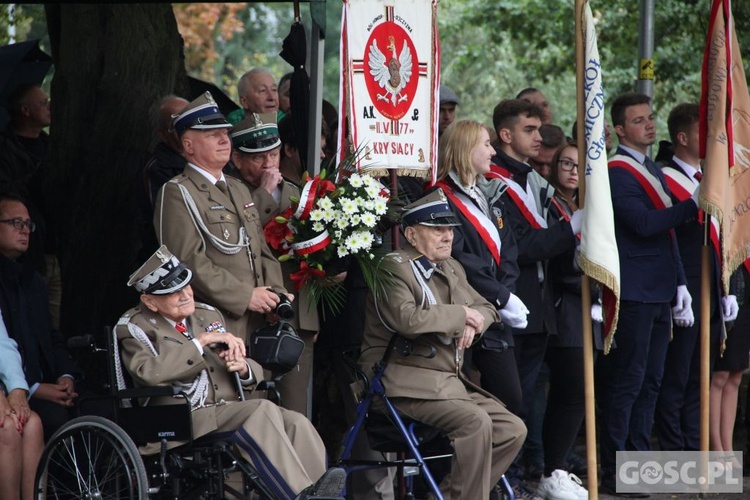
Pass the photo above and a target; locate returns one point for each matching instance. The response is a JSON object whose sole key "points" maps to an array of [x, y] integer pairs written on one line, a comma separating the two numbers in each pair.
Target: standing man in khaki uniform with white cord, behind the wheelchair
{"points": [[212, 223]]}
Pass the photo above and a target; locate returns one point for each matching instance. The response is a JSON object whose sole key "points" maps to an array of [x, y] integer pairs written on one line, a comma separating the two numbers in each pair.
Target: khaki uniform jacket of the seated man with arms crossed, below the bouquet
{"points": [[406, 310]]}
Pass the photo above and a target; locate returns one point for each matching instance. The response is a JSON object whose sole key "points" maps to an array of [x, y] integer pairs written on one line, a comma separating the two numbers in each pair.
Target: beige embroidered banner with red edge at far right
{"points": [[725, 138]]}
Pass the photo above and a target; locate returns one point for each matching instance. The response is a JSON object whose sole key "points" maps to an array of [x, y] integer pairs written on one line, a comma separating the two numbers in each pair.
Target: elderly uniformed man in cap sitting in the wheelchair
{"points": [[171, 340]]}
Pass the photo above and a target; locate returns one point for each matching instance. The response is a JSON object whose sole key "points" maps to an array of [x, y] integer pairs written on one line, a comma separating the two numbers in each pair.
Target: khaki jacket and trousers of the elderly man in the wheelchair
{"points": [[280, 444]]}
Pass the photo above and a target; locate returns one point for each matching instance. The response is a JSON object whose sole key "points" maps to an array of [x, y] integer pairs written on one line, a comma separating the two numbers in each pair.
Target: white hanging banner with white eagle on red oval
{"points": [[390, 67]]}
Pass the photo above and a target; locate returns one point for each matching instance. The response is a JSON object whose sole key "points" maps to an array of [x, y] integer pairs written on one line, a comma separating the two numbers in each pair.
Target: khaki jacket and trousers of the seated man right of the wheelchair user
{"points": [[485, 436]]}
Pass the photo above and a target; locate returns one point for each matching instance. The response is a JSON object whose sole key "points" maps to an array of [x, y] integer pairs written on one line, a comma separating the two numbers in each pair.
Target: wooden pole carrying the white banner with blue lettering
{"points": [[588, 337]]}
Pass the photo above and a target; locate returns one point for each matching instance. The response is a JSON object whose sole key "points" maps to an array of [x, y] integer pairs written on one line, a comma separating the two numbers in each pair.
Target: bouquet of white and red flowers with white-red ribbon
{"points": [[327, 223]]}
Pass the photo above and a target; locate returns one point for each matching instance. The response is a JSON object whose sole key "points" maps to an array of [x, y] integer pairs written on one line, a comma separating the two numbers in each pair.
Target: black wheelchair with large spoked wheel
{"points": [[98, 457]]}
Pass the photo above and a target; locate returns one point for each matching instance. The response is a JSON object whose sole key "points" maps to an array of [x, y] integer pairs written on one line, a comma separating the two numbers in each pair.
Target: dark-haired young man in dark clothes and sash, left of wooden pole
{"points": [[527, 197]]}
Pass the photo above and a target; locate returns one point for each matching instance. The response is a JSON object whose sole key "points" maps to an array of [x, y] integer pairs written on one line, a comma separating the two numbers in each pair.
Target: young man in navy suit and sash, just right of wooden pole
{"points": [[653, 281]]}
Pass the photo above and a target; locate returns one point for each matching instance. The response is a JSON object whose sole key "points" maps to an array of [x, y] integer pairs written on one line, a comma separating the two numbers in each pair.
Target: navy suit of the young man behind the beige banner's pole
{"points": [[677, 418]]}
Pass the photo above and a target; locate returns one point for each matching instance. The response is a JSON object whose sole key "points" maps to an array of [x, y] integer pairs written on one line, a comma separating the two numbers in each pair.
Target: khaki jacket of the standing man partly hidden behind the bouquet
{"points": [[305, 312]]}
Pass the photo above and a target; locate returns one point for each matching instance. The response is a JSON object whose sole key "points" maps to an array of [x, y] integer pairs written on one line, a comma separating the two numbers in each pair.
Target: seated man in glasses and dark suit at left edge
{"points": [[49, 369]]}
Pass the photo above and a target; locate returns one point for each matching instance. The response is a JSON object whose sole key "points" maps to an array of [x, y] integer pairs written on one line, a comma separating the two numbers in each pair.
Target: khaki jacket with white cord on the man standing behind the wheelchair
{"points": [[224, 278]]}
